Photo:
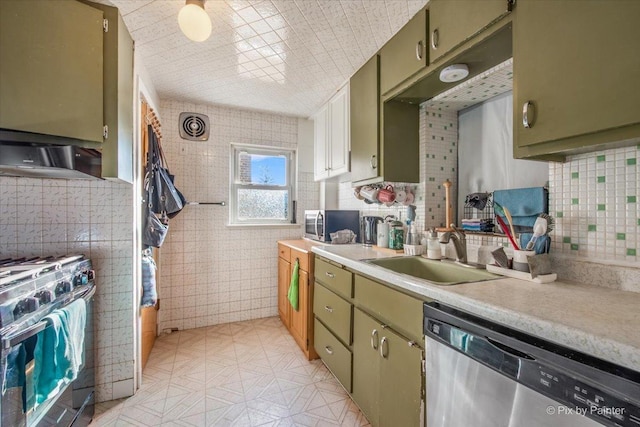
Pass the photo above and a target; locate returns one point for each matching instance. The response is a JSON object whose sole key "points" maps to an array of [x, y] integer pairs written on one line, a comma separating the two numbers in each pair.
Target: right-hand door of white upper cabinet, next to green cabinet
{"points": [[339, 120]]}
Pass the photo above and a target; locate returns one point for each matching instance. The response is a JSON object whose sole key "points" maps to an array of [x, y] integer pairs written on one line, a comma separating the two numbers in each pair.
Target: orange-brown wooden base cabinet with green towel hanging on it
{"points": [[298, 322]]}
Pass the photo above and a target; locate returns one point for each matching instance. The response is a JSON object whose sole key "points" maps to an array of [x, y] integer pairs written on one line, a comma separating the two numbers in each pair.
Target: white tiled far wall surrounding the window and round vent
{"points": [[211, 273]]}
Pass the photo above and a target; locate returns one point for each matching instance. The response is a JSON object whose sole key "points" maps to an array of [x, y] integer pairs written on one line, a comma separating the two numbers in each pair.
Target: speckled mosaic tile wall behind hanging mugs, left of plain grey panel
{"points": [[438, 162]]}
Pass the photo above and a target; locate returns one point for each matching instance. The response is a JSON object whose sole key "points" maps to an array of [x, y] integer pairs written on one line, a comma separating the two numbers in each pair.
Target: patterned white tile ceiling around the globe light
{"points": [[284, 56]]}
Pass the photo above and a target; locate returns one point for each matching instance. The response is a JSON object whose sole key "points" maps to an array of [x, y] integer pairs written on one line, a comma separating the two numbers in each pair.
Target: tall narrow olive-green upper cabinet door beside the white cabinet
{"points": [[365, 117]]}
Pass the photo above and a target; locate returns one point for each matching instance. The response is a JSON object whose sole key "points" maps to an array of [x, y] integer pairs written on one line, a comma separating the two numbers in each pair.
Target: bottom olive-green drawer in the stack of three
{"points": [[335, 355]]}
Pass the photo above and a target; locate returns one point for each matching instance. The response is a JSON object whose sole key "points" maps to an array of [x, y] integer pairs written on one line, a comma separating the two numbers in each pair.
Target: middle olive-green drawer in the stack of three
{"points": [[334, 312]]}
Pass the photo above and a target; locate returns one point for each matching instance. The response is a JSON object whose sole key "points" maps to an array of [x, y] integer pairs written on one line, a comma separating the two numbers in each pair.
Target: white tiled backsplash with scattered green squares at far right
{"points": [[595, 200]]}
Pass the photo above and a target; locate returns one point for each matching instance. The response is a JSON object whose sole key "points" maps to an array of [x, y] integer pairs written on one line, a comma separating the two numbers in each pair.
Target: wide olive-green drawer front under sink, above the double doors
{"points": [[402, 312]]}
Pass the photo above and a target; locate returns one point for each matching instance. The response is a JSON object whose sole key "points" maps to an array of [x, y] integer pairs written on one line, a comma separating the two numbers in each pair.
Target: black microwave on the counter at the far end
{"points": [[319, 224]]}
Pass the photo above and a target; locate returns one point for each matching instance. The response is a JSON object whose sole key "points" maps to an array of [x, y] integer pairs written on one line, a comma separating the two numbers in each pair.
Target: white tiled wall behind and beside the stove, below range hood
{"points": [[40, 217]]}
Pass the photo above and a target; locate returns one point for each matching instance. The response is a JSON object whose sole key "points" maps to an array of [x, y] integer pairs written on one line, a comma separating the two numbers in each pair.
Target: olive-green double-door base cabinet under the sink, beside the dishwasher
{"points": [[387, 374]]}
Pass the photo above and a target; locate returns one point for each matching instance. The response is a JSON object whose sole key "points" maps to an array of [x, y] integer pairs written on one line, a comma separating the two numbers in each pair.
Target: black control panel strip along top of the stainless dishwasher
{"points": [[592, 389]]}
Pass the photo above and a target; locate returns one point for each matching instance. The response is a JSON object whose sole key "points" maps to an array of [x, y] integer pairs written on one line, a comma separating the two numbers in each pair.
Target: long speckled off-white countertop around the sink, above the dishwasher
{"points": [[602, 322]]}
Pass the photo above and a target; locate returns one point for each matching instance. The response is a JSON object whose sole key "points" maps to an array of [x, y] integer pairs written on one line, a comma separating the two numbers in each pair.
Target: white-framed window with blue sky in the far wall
{"points": [[261, 185]]}
